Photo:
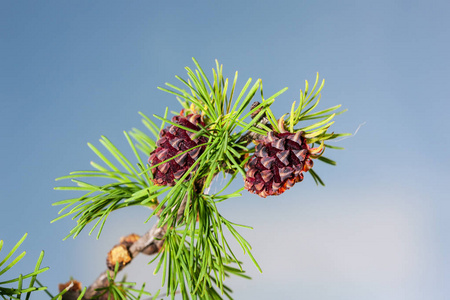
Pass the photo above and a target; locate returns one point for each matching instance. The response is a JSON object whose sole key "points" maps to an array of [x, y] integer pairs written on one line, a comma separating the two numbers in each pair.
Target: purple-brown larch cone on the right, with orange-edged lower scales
{"points": [[278, 163]]}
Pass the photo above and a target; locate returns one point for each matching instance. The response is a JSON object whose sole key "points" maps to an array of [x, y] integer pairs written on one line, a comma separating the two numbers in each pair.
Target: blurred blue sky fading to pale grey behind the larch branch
{"points": [[72, 71]]}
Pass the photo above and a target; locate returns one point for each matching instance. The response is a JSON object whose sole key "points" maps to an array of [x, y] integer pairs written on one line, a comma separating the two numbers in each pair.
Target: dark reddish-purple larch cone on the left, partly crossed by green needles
{"points": [[173, 141]]}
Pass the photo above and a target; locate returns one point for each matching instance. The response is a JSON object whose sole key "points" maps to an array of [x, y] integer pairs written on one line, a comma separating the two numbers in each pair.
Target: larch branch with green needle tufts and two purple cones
{"points": [[217, 130]]}
